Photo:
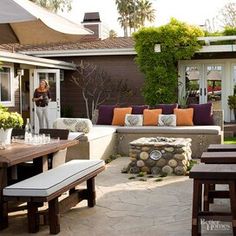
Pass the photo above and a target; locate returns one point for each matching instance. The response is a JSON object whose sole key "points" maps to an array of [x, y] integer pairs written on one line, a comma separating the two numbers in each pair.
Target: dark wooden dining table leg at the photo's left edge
{"points": [[3, 204]]}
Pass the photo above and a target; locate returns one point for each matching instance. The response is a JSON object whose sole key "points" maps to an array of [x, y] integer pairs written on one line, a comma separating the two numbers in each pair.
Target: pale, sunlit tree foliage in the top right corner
{"points": [[227, 15]]}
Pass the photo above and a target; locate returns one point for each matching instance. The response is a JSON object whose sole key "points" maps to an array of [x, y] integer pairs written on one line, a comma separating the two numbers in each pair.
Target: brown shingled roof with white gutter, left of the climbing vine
{"points": [[108, 46]]}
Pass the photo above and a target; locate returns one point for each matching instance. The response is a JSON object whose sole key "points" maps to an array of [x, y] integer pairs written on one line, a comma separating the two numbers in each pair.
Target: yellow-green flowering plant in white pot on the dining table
{"points": [[8, 121]]}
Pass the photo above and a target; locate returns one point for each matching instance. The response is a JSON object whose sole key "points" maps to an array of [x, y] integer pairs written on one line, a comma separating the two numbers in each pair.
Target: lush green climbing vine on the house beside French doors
{"points": [[178, 42]]}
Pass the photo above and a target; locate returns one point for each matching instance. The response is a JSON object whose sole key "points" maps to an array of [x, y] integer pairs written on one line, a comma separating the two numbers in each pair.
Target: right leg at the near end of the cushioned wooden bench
{"points": [[54, 216]]}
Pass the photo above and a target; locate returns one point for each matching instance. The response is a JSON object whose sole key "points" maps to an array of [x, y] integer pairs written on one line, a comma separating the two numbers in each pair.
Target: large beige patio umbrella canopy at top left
{"points": [[22, 21]]}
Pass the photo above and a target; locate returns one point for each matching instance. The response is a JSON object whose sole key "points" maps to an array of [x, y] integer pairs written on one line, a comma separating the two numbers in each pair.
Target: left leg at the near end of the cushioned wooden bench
{"points": [[33, 217]]}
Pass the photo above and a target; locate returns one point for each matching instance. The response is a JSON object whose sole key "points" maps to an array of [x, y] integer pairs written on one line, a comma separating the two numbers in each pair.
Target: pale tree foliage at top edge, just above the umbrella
{"points": [[54, 5]]}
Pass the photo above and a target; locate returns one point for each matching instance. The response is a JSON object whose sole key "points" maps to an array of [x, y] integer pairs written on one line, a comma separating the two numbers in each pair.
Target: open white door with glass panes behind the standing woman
{"points": [[53, 77]]}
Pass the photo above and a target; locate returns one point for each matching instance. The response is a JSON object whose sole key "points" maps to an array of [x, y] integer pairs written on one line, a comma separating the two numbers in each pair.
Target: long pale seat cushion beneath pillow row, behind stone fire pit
{"points": [[208, 129]]}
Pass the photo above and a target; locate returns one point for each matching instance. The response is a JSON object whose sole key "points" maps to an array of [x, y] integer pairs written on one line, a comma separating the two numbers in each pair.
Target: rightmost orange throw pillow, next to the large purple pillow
{"points": [[184, 116]]}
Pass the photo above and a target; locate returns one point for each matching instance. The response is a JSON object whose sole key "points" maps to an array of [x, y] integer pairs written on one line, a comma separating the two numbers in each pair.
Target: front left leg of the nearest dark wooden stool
{"points": [[196, 207]]}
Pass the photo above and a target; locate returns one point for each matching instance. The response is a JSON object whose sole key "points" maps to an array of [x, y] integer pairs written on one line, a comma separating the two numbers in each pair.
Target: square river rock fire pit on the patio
{"points": [[160, 155]]}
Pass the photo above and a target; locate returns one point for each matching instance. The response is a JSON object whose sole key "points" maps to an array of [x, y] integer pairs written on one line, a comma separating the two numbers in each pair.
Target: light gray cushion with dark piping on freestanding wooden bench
{"points": [[48, 182]]}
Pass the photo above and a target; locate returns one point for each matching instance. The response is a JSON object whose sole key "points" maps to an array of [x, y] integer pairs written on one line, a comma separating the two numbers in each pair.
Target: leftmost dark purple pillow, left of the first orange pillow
{"points": [[105, 114]]}
